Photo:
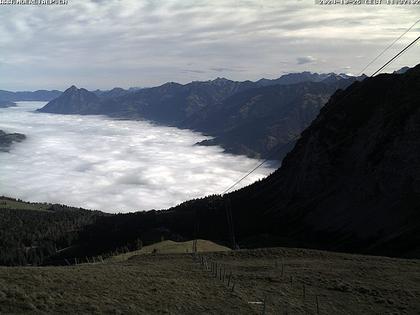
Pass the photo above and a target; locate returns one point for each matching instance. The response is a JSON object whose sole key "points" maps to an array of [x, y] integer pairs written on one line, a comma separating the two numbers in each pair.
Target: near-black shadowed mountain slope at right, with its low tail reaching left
{"points": [[351, 183]]}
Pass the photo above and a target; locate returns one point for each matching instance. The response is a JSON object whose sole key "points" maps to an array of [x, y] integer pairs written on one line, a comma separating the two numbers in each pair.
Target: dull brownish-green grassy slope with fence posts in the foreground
{"points": [[175, 284]]}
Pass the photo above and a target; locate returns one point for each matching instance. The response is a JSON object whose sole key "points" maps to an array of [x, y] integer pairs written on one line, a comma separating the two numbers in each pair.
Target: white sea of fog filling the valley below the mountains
{"points": [[112, 165]]}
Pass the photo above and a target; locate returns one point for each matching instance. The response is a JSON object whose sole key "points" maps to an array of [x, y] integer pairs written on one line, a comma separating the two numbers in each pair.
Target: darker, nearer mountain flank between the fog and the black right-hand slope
{"points": [[264, 122]]}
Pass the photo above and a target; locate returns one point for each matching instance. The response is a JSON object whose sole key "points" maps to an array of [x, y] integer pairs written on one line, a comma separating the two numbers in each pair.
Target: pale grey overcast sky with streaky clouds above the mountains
{"points": [[103, 44]]}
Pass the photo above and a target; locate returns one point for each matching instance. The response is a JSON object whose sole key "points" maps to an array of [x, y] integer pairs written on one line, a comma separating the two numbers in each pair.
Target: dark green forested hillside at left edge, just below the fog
{"points": [[30, 233]]}
